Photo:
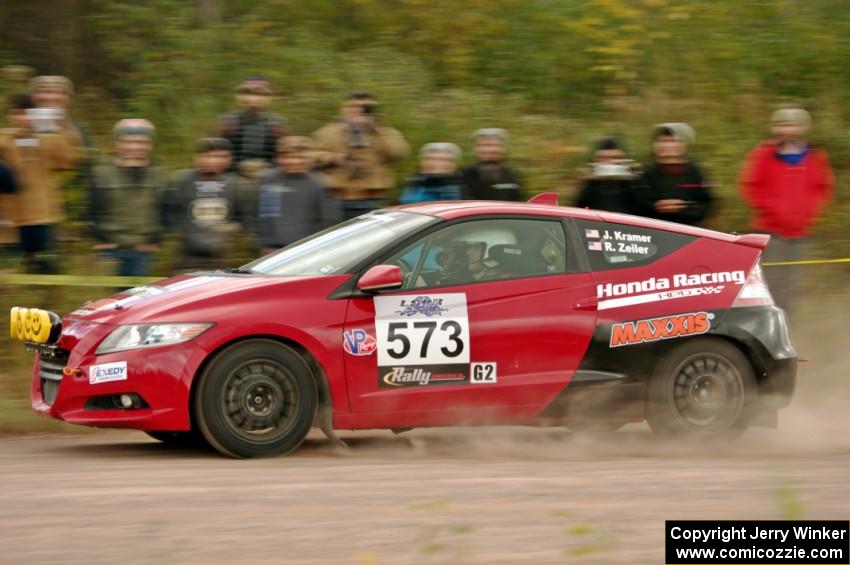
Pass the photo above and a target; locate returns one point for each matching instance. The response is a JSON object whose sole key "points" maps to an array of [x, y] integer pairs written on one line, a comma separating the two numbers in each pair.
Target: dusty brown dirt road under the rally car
{"points": [[452, 496]]}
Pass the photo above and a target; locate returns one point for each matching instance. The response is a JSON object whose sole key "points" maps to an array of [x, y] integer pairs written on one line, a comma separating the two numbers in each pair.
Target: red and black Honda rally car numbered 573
{"points": [[435, 314]]}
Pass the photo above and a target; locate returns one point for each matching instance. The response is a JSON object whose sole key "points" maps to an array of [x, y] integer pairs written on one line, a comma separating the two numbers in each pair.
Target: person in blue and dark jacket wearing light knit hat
{"points": [[438, 178]]}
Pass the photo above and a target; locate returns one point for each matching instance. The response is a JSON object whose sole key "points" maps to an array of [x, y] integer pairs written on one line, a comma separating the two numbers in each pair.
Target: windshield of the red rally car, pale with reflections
{"points": [[338, 249]]}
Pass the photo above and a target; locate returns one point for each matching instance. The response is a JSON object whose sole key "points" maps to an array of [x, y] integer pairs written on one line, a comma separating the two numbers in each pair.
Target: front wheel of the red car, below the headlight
{"points": [[256, 399]]}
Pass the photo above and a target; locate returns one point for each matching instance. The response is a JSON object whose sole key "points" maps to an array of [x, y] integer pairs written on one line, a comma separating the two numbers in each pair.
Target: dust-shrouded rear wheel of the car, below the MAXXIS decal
{"points": [[703, 387]]}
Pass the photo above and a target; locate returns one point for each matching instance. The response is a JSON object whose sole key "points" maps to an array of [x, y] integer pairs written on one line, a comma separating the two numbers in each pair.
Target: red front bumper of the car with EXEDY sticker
{"points": [[160, 376]]}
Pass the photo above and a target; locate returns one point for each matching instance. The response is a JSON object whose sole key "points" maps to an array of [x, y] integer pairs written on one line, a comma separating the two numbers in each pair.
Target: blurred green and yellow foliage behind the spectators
{"points": [[557, 74]]}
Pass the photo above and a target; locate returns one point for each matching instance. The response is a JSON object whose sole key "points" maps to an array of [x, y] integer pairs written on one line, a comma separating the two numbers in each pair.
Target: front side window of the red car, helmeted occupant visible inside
{"points": [[484, 250]]}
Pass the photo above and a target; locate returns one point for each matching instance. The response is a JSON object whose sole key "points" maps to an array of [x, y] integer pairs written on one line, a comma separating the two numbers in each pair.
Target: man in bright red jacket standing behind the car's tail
{"points": [[787, 182]]}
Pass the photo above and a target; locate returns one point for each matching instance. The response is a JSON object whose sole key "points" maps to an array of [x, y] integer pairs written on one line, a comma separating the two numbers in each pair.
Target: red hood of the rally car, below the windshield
{"points": [[198, 298]]}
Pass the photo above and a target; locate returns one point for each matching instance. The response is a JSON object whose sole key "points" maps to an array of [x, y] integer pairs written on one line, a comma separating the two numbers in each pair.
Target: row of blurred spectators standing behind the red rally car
{"points": [[254, 175]]}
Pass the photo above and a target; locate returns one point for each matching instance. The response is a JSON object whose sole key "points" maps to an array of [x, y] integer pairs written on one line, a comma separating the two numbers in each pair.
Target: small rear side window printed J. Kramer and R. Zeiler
{"points": [[613, 246]]}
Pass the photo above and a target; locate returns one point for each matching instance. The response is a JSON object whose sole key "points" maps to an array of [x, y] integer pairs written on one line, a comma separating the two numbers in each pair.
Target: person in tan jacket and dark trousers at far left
{"points": [[34, 148]]}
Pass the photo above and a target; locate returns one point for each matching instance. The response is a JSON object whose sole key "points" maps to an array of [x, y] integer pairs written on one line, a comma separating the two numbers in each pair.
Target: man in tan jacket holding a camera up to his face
{"points": [[356, 154]]}
